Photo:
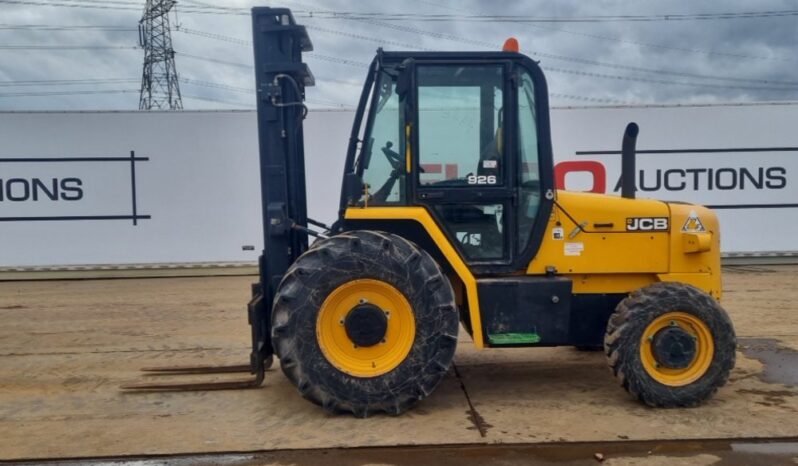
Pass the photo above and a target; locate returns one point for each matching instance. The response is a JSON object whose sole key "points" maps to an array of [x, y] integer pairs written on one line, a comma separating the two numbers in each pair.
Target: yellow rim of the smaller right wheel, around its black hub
{"points": [[704, 350]]}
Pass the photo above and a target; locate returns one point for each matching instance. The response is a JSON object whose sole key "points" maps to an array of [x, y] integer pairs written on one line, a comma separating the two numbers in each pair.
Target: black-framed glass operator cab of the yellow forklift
{"points": [[465, 135]]}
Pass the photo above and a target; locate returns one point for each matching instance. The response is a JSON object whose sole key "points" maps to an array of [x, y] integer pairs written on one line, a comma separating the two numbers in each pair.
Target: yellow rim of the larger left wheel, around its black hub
{"points": [[374, 360]]}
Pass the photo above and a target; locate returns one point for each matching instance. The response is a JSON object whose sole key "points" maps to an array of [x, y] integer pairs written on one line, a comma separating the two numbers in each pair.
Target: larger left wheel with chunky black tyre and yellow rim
{"points": [[313, 351]]}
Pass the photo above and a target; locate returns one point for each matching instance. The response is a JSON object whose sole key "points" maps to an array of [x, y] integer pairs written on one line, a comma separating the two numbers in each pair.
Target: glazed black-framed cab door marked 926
{"points": [[464, 165]]}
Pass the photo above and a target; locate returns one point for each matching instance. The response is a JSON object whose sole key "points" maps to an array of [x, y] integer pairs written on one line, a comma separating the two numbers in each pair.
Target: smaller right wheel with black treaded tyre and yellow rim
{"points": [[637, 323]]}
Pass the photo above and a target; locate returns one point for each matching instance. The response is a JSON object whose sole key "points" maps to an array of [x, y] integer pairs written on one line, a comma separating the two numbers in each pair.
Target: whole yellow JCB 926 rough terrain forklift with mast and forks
{"points": [[449, 216]]}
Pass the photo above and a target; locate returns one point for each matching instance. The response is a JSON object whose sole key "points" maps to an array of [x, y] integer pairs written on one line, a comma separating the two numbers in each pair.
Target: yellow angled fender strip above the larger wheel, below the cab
{"points": [[420, 215]]}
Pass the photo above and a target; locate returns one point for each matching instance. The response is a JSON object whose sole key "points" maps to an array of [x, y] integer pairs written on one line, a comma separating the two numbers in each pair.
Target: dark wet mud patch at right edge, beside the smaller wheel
{"points": [[781, 362]]}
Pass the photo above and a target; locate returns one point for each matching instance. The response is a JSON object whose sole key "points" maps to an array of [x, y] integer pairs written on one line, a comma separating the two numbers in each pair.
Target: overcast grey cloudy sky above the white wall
{"points": [[587, 63]]}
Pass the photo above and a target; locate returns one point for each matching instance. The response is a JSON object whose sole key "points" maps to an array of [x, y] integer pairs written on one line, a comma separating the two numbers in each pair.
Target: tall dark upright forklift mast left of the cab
{"points": [[280, 78]]}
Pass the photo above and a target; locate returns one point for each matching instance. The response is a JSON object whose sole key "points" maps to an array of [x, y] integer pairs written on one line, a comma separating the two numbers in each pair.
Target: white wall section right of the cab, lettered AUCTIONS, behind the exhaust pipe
{"points": [[741, 160]]}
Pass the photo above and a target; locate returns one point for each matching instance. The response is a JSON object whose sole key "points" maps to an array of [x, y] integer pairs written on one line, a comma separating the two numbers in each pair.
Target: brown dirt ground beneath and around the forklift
{"points": [[66, 346]]}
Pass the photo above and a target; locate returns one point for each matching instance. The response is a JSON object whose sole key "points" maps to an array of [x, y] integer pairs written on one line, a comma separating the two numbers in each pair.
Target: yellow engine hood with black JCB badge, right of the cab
{"points": [[614, 260]]}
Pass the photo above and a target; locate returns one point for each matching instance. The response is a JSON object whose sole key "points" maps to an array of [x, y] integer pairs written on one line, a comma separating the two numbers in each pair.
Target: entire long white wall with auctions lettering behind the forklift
{"points": [[163, 187]]}
